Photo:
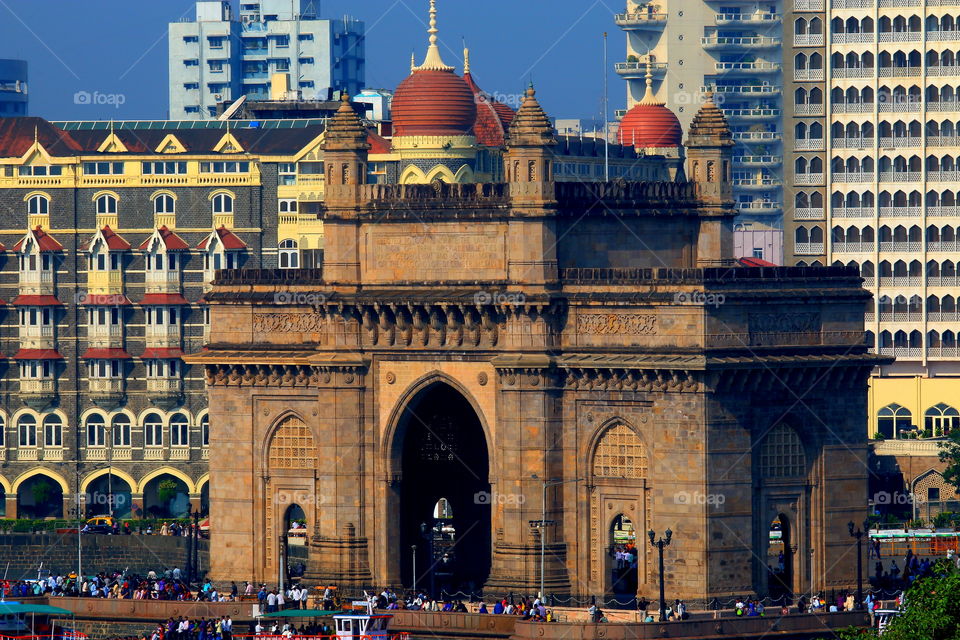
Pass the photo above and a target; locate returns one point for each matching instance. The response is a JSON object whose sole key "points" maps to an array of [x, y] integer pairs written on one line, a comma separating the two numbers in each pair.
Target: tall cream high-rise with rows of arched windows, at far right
{"points": [[872, 181]]}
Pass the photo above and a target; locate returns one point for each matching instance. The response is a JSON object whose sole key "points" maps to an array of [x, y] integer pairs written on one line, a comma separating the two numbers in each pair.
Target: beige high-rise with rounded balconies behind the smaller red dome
{"points": [[733, 49]]}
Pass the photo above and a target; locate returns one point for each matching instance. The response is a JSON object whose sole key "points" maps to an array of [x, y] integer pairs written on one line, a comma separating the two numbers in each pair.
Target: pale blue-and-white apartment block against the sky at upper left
{"points": [[219, 57]]}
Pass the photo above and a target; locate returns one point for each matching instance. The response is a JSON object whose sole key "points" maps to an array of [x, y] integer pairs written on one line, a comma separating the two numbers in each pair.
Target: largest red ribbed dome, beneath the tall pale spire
{"points": [[433, 103]]}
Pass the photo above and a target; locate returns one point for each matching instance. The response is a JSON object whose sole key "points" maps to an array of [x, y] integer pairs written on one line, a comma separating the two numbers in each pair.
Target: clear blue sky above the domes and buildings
{"points": [[119, 47]]}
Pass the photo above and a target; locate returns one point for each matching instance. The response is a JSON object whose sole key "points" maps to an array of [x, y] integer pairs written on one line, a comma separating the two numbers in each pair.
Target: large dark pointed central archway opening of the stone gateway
{"points": [[441, 450]]}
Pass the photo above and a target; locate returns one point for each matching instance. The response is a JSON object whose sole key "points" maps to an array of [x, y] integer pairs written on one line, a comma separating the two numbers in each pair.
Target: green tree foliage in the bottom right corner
{"points": [[933, 608]]}
